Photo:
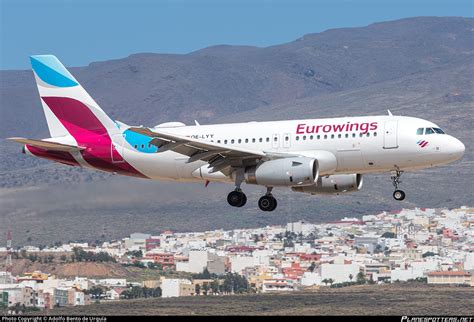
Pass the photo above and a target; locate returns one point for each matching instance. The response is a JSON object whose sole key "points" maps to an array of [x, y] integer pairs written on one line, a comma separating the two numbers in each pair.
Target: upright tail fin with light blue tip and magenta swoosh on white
{"points": [[68, 108]]}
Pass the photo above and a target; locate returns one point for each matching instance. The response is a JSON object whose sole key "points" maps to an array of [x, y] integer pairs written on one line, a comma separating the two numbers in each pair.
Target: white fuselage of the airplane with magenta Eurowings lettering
{"points": [[371, 144]]}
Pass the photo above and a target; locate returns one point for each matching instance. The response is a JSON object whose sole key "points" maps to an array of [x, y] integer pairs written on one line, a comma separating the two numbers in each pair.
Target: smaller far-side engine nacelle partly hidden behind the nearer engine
{"points": [[338, 183]]}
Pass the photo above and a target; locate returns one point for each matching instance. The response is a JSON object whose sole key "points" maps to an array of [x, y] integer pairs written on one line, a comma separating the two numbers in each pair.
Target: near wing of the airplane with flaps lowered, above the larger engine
{"points": [[219, 156]]}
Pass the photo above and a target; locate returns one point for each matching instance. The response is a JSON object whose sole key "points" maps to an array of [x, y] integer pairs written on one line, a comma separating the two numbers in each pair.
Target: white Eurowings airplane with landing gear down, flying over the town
{"points": [[313, 156]]}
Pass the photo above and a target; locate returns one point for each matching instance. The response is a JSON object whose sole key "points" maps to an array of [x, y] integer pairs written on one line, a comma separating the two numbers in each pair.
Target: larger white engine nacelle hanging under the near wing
{"points": [[288, 172]]}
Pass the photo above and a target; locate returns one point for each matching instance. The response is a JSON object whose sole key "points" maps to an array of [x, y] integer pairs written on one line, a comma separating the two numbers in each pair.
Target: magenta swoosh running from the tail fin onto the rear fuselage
{"points": [[89, 132]]}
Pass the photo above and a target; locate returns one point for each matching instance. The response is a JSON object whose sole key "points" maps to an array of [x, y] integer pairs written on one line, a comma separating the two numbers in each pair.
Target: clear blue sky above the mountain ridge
{"points": [[81, 32]]}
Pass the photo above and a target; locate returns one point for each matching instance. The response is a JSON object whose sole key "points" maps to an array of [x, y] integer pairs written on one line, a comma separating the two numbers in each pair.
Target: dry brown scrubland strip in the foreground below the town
{"points": [[402, 299]]}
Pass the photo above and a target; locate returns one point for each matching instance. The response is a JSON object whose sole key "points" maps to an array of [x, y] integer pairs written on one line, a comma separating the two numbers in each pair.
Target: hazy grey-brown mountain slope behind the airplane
{"points": [[420, 67]]}
